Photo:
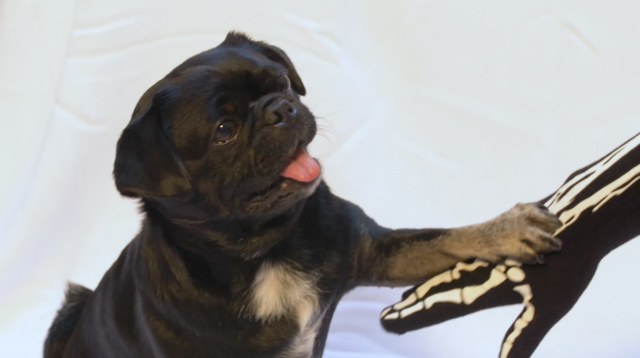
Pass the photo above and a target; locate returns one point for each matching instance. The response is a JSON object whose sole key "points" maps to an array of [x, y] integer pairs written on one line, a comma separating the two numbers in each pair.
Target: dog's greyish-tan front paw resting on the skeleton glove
{"points": [[523, 233]]}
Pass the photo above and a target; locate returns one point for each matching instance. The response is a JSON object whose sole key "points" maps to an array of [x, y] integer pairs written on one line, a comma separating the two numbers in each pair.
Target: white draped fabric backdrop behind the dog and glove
{"points": [[435, 113]]}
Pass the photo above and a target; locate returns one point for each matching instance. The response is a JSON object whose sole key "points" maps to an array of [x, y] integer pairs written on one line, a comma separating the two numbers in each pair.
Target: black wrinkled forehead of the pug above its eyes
{"points": [[210, 86]]}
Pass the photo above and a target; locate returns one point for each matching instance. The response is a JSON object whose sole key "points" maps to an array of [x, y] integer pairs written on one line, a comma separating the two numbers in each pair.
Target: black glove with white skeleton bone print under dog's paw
{"points": [[599, 207]]}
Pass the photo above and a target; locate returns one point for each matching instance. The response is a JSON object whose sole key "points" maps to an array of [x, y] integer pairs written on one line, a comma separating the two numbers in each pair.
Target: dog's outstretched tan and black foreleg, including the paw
{"points": [[405, 257]]}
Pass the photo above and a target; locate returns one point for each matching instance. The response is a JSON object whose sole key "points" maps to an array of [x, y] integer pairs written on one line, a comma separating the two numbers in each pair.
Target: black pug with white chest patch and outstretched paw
{"points": [[244, 251]]}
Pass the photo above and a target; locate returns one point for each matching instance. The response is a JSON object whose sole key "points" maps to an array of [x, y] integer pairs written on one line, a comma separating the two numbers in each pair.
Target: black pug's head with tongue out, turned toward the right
{"points": [[224, 131]]}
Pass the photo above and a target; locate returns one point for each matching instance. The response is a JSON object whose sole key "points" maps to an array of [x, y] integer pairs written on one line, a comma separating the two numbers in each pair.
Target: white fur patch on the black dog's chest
{"points": [[279, 290]]}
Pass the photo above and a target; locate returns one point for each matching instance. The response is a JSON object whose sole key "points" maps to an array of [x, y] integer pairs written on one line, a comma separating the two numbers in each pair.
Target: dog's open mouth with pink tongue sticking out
{"points": [[301, 172]]}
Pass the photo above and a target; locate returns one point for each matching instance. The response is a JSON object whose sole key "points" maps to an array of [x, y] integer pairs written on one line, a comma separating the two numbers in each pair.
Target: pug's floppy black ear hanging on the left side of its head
{"points": [[146, 164]]}
